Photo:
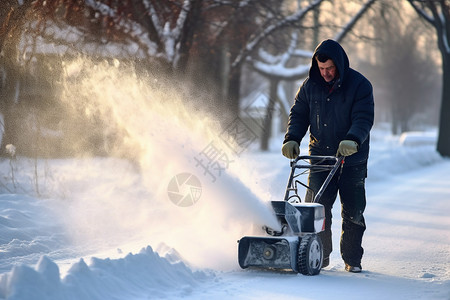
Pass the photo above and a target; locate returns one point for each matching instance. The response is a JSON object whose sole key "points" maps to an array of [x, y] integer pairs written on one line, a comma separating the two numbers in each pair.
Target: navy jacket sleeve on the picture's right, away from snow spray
{"points": [[362, 113]]}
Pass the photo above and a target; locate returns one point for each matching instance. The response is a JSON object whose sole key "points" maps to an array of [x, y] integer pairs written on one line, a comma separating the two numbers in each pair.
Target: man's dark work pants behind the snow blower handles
{"points": [[350, 183]]}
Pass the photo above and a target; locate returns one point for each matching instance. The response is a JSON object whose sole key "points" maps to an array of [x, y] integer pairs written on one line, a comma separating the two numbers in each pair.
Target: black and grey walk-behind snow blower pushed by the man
{"points": [[297, 246]]}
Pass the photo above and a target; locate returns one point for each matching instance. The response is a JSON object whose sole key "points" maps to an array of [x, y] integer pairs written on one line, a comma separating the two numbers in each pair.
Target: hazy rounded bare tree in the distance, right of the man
{"points": [[406, 77]]}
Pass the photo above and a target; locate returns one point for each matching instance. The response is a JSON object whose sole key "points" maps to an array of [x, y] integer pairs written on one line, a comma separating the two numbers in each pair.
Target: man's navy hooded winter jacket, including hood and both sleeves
{"points": [[344, 113]]}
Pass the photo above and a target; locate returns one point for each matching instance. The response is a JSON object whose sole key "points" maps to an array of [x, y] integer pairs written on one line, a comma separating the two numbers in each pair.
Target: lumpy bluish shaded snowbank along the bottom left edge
{"points": [[145, 274]]}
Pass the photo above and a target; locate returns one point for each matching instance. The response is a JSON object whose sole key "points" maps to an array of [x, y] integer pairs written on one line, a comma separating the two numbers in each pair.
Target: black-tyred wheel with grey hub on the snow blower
{"points": [[310, 255]]}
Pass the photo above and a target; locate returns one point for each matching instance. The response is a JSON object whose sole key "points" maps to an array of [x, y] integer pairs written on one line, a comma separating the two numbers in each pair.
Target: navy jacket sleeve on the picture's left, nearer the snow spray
{"points": [[298, 117]]}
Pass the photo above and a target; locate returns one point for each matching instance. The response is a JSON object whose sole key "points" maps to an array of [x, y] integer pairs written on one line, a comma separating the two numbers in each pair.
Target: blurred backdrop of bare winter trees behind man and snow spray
{"points": [[220, 48]]}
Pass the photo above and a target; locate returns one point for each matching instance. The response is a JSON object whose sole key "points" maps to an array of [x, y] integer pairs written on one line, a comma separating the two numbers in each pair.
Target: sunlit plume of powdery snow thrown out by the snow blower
{"points": [[168, 195]]}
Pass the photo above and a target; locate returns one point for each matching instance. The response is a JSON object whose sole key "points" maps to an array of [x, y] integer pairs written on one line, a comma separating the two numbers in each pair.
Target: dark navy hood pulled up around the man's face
{"points": [[335, 51]]}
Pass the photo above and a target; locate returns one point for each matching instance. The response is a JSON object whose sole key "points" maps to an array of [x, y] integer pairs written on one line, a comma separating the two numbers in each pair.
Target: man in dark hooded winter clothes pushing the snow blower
{"points": [[336, 104]]}
